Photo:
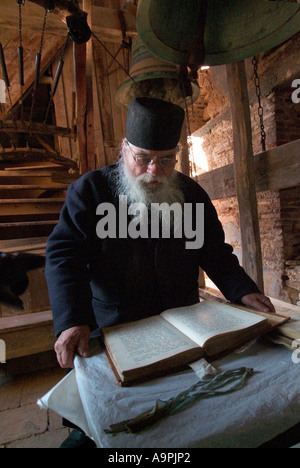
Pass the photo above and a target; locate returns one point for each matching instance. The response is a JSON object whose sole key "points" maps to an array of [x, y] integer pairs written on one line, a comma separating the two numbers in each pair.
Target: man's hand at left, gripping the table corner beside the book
{"points": [[71, 341]]}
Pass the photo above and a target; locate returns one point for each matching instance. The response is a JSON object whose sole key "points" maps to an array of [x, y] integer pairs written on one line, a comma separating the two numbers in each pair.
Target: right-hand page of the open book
{"points": [[206, 319]]}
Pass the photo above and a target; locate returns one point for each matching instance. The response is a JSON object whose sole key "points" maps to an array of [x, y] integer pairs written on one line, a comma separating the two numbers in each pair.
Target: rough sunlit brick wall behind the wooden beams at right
{"points": [[279, 211]]}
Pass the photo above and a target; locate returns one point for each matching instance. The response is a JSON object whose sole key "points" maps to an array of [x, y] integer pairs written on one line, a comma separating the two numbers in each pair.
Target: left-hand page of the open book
{"points": [[144, 342]]}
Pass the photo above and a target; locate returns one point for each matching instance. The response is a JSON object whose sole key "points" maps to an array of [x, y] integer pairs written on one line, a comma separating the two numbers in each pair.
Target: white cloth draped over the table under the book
{"points": [[266, 406]]}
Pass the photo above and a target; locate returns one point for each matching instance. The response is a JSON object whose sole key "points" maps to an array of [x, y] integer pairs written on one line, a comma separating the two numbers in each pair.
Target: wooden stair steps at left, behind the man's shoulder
{"points": [[30, 202]]}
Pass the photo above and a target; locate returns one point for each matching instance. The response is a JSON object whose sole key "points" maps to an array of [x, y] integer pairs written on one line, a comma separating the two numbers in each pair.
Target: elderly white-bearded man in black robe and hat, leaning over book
{"points": [[99, 280]]}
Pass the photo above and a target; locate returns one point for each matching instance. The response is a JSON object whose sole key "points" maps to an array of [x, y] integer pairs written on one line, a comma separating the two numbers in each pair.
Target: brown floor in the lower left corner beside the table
{"points": [[22, 423]]}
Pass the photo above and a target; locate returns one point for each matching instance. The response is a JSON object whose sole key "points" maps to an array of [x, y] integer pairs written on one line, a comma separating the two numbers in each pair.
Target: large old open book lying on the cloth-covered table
{"points": [[165, 343]]}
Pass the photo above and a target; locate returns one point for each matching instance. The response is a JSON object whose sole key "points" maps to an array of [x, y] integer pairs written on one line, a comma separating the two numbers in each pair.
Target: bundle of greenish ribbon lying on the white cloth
{"points": [[221, 384]]}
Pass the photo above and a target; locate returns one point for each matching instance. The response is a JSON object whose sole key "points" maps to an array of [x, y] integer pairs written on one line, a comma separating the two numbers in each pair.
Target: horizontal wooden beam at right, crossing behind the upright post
{"points": [[274, 169]]}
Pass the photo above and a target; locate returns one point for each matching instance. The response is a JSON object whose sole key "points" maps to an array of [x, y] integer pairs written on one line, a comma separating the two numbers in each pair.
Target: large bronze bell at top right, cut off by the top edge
{"points": [[214, 32]]}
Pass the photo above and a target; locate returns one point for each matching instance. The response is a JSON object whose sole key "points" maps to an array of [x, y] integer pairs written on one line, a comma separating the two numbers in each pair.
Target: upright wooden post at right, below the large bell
{"points": [[244, 171]]}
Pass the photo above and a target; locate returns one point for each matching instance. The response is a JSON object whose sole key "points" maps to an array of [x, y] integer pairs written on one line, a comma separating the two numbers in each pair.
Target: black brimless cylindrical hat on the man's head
{"points": [[154, 124]]}
